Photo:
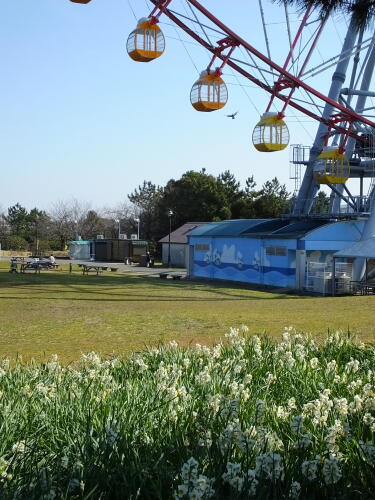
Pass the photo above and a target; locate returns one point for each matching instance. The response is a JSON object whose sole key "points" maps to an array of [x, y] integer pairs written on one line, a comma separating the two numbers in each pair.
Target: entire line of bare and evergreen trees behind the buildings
{"points": [[196, 196]]}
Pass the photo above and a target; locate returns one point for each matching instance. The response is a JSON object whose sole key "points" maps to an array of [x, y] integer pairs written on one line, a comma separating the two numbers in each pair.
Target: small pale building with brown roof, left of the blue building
{"points": [[179, 247]]}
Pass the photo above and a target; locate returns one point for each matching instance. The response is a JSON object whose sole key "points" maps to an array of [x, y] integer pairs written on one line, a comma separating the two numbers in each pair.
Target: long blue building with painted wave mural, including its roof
{"points": [[273, 252]]}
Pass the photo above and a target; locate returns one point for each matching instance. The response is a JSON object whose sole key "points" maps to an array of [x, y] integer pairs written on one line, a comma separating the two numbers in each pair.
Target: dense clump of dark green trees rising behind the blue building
{"points": [[201, 197]]}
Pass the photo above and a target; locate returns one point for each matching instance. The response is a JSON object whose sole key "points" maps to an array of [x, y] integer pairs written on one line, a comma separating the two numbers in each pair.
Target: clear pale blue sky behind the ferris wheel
{"points": [[80, 119]]}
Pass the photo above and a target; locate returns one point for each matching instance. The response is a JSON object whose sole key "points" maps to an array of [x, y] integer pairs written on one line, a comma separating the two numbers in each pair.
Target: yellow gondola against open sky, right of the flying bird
{"points": [[270, 134]]}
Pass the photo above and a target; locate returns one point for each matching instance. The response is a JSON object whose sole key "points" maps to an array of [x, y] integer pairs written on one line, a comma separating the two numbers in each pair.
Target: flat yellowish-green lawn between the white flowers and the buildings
{"points": [[58, 312]]}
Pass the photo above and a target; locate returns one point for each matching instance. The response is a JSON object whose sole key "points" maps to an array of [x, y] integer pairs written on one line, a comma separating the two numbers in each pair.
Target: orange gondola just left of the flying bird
{"points": [[209, 93]]}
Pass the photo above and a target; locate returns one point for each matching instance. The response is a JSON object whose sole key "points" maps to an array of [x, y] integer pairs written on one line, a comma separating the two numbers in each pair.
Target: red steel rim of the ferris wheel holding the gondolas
{"points": [[287, 79]]}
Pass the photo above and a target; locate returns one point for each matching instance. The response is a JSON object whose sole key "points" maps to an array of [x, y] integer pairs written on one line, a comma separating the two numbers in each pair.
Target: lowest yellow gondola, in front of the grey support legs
{"points": [[332, 167]]}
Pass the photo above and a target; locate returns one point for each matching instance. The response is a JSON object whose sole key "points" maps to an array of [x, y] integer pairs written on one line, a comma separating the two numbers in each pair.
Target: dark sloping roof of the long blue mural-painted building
{"points": [[252, 228]]}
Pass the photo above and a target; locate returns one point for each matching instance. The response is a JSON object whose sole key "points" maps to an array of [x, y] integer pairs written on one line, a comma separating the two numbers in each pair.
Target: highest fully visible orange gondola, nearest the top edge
{"points": [[146, 42]]}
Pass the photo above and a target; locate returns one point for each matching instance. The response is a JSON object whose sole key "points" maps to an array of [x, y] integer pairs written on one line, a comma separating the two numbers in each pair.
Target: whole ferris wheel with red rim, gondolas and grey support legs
{"points": [[344, 146]]}
